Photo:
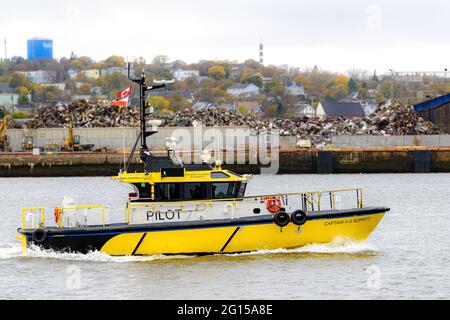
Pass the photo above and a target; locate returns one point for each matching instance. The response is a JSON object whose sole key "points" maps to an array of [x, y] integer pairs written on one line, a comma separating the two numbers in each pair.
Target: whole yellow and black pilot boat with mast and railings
{"points": [[178, 208]]}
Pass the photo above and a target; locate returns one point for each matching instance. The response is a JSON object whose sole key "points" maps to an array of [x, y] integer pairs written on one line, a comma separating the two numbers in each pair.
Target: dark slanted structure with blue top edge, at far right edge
{"points": [[436, 110]]}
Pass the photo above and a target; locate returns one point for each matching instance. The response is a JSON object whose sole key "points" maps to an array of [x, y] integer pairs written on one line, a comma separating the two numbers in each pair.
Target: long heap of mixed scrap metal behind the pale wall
{"points": [[389, 119]]}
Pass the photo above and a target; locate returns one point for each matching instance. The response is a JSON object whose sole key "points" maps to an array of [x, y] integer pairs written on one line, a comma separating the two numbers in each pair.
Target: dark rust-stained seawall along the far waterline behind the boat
{"points": [[382, 160]]}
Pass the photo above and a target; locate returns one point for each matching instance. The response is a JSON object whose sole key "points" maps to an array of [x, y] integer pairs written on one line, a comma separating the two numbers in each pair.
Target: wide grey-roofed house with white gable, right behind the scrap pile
{"points": [[330, 109]]}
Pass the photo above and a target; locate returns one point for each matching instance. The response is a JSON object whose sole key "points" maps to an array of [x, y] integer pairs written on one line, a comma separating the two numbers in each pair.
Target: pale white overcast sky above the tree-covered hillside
{"points": [[334, 35]]}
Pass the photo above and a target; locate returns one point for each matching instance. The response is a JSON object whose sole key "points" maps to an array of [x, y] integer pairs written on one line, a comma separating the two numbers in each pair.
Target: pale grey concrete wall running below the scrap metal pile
{"points": [[118, 138]]}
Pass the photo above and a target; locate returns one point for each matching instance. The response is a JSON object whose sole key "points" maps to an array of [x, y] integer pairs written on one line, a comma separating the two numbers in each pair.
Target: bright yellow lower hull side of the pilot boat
{"points": [[234, 239]]}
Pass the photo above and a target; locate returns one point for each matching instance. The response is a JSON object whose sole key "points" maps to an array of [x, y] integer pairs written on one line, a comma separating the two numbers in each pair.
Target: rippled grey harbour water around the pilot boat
{"points": [[405, 258]]}
